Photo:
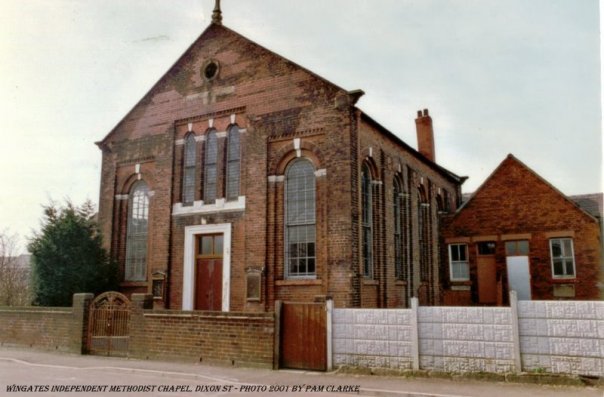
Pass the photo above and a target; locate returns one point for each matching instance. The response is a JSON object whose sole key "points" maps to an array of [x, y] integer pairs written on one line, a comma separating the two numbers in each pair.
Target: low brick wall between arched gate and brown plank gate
{"points": [[231, 338]]}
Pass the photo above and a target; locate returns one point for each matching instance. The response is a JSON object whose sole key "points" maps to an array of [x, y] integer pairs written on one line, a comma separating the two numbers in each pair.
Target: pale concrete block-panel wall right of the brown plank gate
{"points": [[532, 336]]}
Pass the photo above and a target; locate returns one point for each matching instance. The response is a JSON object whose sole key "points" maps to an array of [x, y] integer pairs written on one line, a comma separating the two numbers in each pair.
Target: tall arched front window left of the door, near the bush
{"points": [[136, 238]]}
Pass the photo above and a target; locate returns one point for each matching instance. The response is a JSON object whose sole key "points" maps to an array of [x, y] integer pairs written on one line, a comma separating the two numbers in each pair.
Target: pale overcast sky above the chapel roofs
{"points": [[499, 77]]}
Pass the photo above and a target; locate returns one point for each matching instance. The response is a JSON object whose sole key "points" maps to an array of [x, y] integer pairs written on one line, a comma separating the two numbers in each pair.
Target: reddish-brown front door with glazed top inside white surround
{"points": [[208, 272]]}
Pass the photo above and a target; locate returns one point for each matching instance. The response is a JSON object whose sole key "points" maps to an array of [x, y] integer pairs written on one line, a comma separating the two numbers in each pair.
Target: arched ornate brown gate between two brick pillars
{"points": [[108, 330]]}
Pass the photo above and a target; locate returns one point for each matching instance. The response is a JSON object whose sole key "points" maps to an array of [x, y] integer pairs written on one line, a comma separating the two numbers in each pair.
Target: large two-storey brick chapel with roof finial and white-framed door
{"points": [[242, 178]]}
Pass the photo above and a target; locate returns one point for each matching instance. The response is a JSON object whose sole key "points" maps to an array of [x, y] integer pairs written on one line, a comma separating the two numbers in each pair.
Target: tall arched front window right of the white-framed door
{"points": [[300, 219]]}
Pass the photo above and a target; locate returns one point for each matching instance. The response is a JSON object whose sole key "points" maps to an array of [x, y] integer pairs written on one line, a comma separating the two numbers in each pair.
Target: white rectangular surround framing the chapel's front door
{"points": [[188, 274]]}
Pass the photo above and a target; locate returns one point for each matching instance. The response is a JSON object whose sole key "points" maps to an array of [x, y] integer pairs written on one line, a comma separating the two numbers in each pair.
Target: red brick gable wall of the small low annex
{"points": [[515, 200]]}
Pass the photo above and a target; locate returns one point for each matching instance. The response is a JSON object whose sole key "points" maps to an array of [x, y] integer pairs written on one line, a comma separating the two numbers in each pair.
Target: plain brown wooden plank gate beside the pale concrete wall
{"points": [[304, 336]]}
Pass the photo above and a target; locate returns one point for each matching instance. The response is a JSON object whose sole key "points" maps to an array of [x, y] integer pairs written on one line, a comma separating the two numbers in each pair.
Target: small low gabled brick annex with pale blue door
{"points": [[518, 232]]}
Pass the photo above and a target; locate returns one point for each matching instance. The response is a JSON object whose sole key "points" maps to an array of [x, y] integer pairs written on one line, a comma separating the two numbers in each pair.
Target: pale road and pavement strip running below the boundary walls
{"points": [[37, 373]]}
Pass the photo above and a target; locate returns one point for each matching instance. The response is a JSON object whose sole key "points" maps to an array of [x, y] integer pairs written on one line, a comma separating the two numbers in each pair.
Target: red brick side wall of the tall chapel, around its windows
{"points": [[389, 160]]}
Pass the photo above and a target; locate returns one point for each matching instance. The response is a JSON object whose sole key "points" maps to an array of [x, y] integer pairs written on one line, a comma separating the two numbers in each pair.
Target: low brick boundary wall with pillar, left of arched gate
{"points": [[46, 328]]}
